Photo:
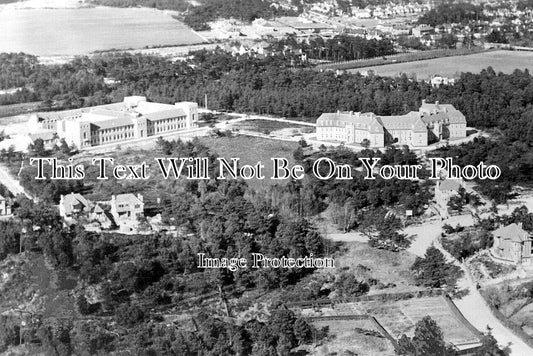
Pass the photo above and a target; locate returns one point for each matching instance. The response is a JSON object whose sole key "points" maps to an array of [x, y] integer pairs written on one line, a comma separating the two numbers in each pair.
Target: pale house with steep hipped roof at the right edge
{"points": [[513, 244]]}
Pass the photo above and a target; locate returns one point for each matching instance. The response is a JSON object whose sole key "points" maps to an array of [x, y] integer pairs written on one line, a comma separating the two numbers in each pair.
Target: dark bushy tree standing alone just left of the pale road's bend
{"points": [[433, 271]]}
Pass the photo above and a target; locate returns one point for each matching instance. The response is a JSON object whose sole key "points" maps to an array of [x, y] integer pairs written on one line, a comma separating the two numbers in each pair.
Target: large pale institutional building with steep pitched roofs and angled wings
{"points": [[432, 122]]}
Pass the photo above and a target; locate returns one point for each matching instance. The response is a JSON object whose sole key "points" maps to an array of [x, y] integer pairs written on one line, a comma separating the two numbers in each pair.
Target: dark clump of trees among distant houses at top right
{"points": [[446, 13]]}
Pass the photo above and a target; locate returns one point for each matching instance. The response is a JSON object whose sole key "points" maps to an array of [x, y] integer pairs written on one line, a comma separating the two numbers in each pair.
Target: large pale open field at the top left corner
{"points": [[47, 32]]}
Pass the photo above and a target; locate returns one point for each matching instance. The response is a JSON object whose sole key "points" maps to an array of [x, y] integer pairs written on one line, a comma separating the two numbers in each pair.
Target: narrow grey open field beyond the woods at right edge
{"points": [[501, 61]]}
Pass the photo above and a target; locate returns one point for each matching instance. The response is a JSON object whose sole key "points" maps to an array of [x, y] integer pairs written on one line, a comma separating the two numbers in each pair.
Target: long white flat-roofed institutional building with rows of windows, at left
{"points": [[113, 123]]}
